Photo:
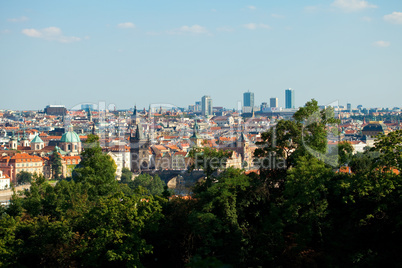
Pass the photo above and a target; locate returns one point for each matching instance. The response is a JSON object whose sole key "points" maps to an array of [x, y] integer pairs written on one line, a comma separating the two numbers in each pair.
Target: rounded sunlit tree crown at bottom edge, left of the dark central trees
{"points": [[114, 229]]}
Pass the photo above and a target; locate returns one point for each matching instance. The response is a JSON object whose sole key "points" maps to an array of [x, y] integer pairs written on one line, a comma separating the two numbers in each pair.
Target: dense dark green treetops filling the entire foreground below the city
{"points": [[304, 214]]}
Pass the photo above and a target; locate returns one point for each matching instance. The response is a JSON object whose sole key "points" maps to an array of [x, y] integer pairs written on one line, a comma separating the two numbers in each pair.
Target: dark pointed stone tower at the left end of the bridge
{"points": [[139, 149]]}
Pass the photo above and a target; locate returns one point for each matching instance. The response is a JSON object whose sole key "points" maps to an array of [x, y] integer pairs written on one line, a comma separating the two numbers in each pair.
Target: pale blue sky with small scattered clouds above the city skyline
{"points": [[127, 53]]}
